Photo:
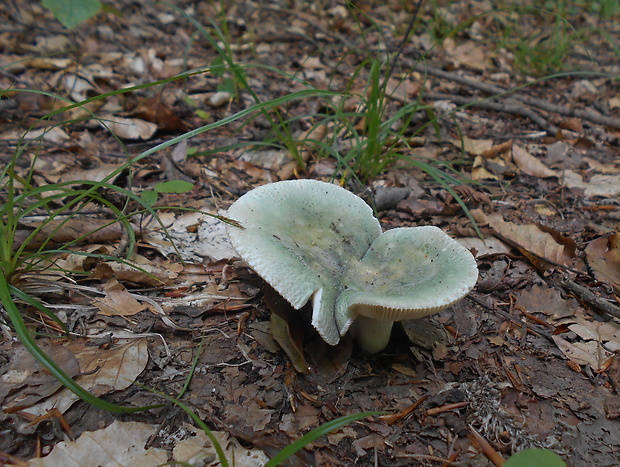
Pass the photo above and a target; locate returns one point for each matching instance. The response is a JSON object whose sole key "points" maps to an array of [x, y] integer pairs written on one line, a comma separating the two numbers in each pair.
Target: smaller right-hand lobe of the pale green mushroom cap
{"points": [[412, 272]]}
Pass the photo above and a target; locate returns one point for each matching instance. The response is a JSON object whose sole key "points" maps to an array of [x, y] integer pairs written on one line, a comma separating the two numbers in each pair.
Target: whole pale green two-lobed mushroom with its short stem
{"points": [[312, 240]]}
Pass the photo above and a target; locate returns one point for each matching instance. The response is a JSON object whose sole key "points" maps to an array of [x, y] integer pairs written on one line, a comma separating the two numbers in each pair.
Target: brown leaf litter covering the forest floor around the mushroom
{"points": [[523, 361]]}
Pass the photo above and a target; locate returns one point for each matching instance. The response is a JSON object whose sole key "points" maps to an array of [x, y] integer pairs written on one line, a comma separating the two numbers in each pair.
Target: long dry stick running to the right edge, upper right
{"points": [[586, 114]]}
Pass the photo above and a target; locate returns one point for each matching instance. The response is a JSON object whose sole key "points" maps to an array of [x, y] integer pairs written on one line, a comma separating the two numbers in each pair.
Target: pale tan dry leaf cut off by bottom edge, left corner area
{"points": [[120, 444]]}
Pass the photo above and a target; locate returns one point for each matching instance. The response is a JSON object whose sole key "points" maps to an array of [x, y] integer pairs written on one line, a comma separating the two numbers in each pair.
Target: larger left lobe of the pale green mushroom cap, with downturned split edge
{"points": [[300, 236]]}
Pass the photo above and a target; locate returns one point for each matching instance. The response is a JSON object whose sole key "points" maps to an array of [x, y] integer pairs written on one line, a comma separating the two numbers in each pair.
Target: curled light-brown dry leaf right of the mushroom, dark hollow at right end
{"points": [[541, 241]]}
